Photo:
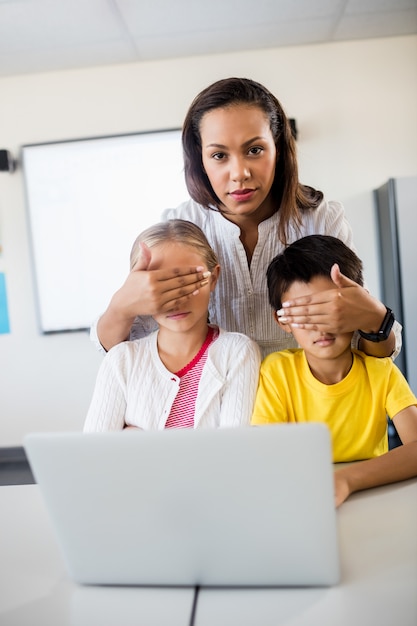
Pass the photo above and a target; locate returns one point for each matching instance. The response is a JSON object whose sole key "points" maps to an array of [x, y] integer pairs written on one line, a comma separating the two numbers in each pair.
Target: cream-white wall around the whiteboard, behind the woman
{"points": [[355, 104]]}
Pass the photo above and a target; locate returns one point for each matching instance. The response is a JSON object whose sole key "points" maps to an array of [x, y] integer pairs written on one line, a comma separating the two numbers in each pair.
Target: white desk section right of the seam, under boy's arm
{"points": [[378, 544]]}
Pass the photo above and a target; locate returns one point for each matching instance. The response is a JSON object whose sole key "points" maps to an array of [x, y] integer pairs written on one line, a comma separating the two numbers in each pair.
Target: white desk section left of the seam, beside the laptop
{"points": [[35, 589]]}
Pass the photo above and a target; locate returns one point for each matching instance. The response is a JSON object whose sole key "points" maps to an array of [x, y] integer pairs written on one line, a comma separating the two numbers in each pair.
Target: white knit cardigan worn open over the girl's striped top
{"points": [[134, 387]]}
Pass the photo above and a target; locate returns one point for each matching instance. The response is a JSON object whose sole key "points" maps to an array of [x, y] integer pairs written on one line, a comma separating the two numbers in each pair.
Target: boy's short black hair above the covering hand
{"points": [[307, 258]]}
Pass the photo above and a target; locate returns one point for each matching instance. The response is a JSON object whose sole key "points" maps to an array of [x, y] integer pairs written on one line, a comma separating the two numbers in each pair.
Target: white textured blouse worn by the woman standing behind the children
{"points": [[240, 301]]}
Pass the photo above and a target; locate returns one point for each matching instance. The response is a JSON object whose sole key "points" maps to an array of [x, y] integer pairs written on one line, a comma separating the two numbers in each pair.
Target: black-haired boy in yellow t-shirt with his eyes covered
{"points": [[327, 381]]}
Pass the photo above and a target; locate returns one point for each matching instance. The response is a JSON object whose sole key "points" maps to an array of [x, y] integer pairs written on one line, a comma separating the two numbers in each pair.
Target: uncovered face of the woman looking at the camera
{"points": [[239, 158]]}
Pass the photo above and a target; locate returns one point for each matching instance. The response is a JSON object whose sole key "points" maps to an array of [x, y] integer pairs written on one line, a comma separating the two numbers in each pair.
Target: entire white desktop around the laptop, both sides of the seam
{"points": [[378, 546]]}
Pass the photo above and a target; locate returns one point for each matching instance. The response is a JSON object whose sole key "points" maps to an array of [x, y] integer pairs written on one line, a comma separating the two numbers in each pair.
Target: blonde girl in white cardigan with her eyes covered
{"points": [[188, 373]]}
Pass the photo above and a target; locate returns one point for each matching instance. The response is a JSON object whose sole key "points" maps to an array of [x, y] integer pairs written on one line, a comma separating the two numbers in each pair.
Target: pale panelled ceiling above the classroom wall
{"points": [[48, 35]]}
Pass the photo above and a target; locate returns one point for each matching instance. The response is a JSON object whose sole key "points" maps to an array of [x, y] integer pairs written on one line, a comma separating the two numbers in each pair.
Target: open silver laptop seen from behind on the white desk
{"points": [[250, 506]]}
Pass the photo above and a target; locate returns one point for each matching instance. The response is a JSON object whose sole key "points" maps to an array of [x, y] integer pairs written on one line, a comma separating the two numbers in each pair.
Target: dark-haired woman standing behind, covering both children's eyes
{"points": [[242, 175]]}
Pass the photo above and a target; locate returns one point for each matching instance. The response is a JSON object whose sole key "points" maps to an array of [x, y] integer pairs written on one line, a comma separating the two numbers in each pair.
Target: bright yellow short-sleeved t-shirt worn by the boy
{"points": [[355, 409]]}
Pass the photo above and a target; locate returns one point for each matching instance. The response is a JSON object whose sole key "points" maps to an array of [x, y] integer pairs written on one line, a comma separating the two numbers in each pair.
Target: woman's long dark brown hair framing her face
{"points": [[287, 192]]}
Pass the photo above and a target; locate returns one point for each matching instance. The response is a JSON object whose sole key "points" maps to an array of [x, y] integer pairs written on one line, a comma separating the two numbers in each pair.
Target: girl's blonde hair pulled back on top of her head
{"points": [[178, 231]]}
